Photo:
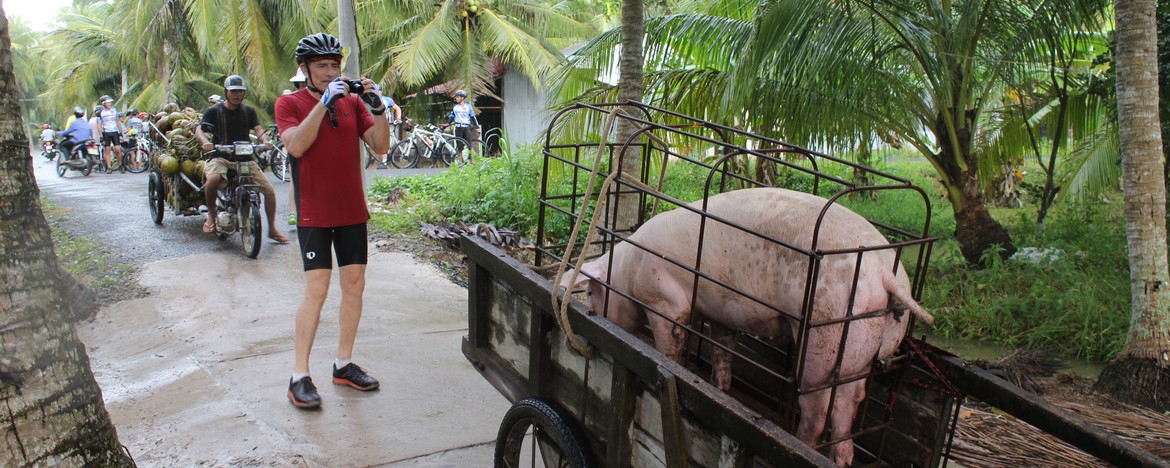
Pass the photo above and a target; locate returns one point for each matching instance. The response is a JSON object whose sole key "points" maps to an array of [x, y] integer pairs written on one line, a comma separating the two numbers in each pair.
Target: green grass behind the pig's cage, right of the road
{"points": [[1077, 306]]}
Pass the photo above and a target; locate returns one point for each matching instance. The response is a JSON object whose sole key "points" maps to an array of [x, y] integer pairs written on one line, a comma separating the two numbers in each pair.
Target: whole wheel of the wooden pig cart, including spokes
{"points": [[541, 428]]}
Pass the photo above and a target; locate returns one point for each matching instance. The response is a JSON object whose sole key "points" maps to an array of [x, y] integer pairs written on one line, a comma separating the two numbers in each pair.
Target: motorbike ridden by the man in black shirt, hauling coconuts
{"points": [[239, 203]]}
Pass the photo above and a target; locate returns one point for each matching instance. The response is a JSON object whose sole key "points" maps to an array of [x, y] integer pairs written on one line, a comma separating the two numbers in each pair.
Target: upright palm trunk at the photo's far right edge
{"points": [[1141, 373]]}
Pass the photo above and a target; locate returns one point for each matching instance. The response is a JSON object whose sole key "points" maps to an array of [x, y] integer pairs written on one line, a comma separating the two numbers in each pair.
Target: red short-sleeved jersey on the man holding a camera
{"points": [[327, 180]]}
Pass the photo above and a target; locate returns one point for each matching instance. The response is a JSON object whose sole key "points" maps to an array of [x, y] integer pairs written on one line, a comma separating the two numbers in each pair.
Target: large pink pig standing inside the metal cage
{"points": [[776, 276]]}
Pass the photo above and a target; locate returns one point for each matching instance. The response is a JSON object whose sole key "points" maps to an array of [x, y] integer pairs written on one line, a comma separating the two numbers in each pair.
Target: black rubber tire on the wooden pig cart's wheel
{"points": [[547, 418]]}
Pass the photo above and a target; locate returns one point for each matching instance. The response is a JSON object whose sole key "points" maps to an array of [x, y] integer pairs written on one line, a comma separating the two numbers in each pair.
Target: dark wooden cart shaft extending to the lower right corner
{"points": [[1043, 415]]}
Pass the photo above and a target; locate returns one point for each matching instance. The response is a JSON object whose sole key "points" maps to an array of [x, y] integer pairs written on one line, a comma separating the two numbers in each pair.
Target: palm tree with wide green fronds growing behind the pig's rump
{"points": [[930, 81]]}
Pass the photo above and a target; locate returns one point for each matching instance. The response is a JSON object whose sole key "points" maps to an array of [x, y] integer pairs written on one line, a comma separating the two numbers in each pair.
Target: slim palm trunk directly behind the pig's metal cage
{"points": [[630, 88]]}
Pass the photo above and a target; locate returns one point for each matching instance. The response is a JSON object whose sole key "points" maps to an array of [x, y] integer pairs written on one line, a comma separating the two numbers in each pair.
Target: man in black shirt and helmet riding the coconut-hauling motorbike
{"points": [[231, 121]]}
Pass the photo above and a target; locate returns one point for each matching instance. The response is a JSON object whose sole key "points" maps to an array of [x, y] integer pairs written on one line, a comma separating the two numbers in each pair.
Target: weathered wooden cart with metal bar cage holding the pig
{"points": [[629, 405]]}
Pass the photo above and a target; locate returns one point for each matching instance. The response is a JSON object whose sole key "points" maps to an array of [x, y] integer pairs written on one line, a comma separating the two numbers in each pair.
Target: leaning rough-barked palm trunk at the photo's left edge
{"points": [[53, 407]]}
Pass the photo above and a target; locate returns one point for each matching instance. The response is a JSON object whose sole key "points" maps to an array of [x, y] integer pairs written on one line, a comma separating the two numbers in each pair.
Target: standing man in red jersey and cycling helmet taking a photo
{"points": [[322, 128]]}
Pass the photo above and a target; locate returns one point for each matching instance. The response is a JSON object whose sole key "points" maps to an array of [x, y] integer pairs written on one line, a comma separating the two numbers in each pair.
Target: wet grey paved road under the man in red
{"points": [[197, 373]]}
